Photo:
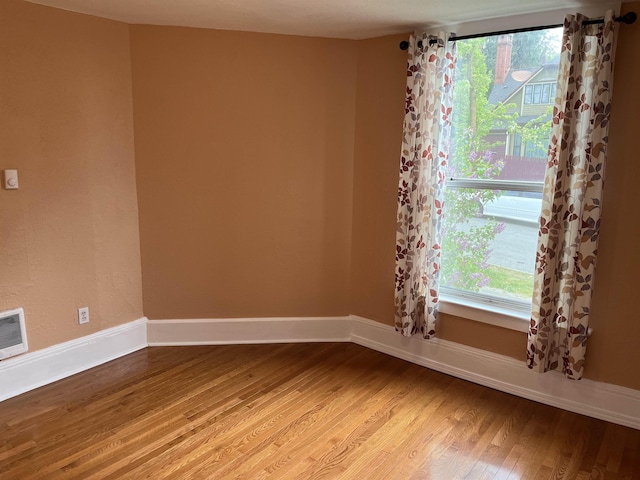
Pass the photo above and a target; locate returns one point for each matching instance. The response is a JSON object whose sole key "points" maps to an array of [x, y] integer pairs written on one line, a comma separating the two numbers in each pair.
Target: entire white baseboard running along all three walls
{"points": [[596, 399]]}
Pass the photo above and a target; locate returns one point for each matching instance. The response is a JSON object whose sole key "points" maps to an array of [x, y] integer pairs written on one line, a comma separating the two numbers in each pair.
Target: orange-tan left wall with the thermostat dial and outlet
{"points": [[69, 235]]}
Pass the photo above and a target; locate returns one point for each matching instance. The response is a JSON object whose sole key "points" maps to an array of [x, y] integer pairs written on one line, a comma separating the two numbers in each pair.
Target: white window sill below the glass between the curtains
{"points": [[480, 312]]}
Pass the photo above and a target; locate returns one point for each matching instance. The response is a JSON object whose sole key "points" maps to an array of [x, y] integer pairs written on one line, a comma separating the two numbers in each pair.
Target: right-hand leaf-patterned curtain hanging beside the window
{"points": [[570, 218]]}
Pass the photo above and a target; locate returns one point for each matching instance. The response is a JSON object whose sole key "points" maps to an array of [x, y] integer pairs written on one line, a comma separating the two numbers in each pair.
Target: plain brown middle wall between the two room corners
{"points": [[244, 151]]}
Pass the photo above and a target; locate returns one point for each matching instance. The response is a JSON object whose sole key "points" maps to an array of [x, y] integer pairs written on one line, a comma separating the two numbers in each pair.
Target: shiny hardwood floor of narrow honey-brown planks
{"points": [[305, 411]]}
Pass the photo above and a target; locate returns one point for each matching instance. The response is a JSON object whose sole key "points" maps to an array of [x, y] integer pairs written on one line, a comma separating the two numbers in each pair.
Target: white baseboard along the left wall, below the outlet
{"points": [[32, 370]]}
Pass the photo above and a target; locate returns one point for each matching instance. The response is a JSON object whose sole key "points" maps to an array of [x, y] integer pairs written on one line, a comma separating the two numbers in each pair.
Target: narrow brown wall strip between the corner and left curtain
{"points": [[379, 111]]}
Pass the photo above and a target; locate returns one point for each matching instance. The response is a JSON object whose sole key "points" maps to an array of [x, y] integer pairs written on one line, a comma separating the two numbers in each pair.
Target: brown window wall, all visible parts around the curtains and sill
{"points": [[612, 352]]}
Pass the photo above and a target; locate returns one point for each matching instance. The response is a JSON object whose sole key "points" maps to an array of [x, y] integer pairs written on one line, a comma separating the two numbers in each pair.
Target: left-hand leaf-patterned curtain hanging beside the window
{"points": [[425, 146]]}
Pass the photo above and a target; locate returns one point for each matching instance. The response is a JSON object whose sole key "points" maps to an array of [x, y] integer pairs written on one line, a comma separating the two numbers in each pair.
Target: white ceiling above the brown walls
{"points": [[352, 19]]}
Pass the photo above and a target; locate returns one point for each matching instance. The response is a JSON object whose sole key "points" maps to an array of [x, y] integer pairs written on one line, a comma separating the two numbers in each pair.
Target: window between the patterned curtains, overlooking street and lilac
{"points": [[494, 194]]}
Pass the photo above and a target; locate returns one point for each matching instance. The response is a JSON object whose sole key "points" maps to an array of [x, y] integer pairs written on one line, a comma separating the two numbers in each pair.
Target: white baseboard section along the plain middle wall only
{"points": [[227, 331]]}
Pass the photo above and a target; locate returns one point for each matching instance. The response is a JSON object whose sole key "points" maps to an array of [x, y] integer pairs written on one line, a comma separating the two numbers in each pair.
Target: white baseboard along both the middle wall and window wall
{"points": [[596, 399]]}
